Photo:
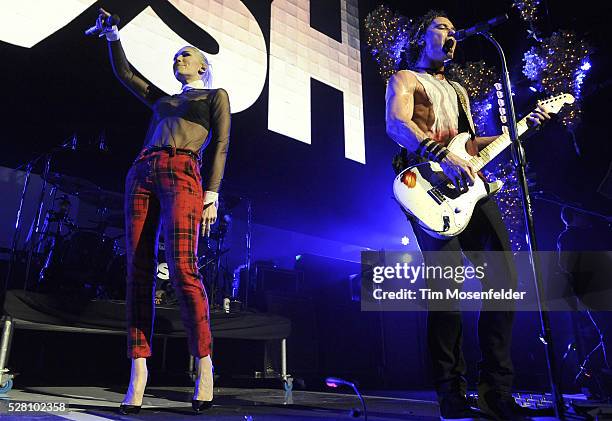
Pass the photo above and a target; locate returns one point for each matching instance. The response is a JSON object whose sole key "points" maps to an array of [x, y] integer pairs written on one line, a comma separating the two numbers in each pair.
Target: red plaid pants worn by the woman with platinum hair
{"points": [[166, 187]]}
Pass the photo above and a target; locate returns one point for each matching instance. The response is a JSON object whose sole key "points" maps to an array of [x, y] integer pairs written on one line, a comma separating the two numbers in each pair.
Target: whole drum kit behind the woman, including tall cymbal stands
{"points": [[89, 259]]}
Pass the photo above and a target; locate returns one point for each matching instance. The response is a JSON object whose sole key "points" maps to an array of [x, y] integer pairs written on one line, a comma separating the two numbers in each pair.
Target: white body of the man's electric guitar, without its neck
{"points": [[425, 192]]}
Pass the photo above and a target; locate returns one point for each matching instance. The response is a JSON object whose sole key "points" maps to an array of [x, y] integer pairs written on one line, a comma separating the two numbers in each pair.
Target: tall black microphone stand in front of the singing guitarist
{"points": [[521, 163]]}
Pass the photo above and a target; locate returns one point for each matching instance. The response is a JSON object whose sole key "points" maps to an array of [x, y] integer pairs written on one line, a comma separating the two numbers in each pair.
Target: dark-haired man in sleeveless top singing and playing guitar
{"points": [[424, 111]]}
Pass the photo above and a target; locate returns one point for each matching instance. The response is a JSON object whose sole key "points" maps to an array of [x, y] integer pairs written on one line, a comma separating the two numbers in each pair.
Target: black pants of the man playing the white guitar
{"points": [[485, 232]]}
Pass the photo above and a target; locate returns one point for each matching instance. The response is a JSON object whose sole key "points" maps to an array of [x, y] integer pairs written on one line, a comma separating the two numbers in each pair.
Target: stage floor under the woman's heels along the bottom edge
{"points": [[173, 403]]}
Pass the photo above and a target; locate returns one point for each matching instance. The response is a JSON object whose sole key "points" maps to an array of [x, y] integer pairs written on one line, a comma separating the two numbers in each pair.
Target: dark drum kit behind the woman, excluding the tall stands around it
{"points": [[91, 259]]}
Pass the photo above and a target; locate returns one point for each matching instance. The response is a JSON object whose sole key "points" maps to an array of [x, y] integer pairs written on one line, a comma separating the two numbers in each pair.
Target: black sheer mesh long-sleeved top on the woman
{"points": [[193, 119]]}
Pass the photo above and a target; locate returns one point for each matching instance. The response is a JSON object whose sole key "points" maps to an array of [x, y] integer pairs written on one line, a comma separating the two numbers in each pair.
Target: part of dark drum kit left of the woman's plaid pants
{"points": [[78, 257]]}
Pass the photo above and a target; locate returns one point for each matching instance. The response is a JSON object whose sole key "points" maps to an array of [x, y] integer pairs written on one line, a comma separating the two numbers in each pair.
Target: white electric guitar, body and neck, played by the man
{"points": [[424, 191]]}
